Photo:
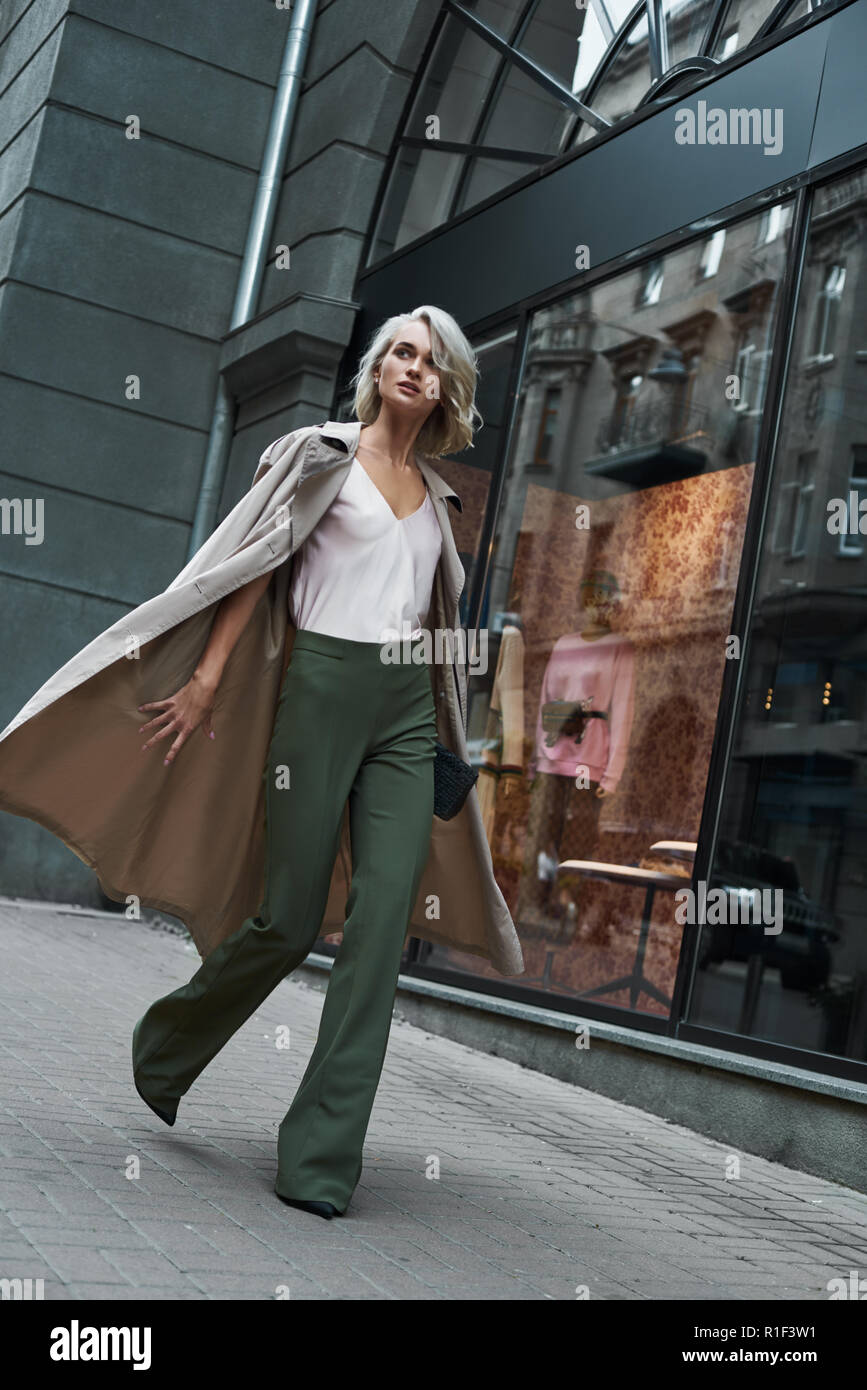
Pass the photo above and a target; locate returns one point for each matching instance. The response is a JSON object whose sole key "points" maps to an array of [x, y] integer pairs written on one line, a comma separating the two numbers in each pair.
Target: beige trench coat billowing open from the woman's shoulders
{"points": [[190, 839]]}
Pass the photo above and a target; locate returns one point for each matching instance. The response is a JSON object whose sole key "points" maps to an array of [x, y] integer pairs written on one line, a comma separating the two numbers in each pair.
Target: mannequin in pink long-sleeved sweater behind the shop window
{"points": [[583, 735]]}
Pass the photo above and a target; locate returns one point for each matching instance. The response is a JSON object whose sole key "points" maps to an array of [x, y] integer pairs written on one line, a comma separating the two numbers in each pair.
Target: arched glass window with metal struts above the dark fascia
{"points": [[511, 85]]}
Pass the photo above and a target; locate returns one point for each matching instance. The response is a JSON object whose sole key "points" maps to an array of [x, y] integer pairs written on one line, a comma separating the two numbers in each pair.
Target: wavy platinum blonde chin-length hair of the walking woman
{"points": [[454, 422]]}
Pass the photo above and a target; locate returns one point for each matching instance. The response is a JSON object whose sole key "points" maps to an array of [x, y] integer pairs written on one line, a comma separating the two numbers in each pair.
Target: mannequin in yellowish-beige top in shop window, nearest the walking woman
{"points": [[504, 744]]}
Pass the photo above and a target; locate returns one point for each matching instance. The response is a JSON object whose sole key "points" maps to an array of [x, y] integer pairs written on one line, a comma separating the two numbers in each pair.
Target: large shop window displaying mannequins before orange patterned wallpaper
{"points": [[608, 604]]}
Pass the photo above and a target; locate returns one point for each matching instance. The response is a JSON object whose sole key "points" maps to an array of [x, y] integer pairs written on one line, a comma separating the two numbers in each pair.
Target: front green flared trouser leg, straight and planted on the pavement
{"points": [[322, 1136]]}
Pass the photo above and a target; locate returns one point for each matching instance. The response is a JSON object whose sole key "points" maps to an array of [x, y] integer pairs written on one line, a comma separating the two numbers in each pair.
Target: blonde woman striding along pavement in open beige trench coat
{"points": [[372, 551]]}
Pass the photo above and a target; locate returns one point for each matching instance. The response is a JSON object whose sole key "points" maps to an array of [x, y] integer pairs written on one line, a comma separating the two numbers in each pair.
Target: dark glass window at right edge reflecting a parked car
{"points": [[794, 822]]}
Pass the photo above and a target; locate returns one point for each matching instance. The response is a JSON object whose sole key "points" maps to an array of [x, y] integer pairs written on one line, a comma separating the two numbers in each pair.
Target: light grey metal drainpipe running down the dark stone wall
{"points": [[254, 262]]}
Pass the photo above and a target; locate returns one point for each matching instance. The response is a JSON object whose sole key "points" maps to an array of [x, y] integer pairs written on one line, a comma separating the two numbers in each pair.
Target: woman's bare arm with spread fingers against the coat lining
{"points": [[192, 705]]}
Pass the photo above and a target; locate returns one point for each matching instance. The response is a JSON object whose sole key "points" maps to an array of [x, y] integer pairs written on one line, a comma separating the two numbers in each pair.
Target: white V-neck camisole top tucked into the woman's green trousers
{"points": [[362, 571]]}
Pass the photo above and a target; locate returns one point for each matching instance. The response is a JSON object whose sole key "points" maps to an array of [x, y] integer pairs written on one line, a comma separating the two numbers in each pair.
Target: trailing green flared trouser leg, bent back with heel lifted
{"points": [[320, 736]]}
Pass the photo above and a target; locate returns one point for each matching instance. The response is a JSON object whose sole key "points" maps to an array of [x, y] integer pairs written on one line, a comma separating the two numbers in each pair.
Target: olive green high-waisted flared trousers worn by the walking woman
{"points": [[348, 728]]}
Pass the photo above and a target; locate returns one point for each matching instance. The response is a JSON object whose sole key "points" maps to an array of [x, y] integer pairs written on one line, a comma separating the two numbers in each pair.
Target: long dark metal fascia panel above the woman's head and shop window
{"points": [[630, 190]]}
